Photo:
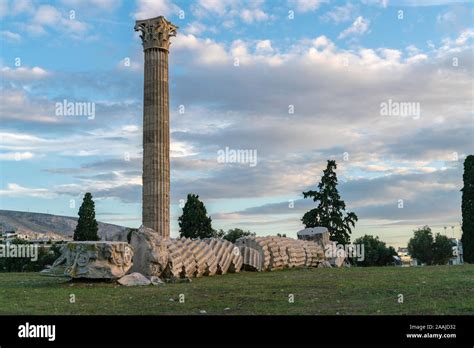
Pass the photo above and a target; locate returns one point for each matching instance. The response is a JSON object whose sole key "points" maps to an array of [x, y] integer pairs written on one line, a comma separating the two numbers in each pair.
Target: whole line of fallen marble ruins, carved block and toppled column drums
{"points": [[156, 257]]}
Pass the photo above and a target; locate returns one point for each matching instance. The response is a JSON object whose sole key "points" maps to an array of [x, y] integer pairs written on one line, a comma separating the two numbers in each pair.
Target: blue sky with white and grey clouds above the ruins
{"points": [[299, 82]]}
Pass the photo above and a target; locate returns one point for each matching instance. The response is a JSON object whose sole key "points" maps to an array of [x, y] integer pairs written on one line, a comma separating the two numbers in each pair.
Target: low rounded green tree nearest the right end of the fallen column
{"points": [[376, 253]]}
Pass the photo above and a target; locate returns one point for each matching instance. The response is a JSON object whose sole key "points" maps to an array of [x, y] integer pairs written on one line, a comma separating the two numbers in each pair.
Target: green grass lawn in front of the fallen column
{"points": [[373, 291]]}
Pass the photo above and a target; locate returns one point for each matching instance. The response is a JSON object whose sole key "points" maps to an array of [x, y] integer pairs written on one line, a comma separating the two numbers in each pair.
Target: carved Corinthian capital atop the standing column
{"points": [[156, 32]]}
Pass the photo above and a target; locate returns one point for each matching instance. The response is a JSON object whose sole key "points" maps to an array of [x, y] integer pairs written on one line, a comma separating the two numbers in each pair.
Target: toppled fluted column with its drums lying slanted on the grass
{"points": [[187, 258]]}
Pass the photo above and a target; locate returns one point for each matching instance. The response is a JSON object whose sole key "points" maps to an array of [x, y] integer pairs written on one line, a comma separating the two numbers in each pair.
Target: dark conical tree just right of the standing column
{"points": [[194, 223]]}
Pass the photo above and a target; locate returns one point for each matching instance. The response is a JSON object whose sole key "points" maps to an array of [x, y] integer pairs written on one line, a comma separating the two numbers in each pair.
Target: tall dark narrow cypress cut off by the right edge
{"points": [[467, 208]]}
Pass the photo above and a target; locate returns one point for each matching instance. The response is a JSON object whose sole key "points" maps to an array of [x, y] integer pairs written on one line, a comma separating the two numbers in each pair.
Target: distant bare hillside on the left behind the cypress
{"points": [[47, 224]]}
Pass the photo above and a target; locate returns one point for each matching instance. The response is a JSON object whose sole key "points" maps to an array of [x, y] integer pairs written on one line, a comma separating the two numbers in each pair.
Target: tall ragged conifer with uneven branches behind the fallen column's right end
{"points": [[331, 208]]}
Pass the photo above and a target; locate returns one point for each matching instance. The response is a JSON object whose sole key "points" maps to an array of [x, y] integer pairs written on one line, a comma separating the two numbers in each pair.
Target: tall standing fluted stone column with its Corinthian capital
{"points": [[155, 35]]}
